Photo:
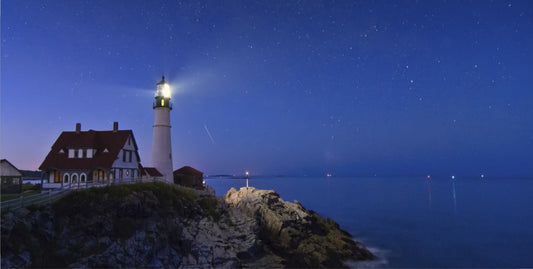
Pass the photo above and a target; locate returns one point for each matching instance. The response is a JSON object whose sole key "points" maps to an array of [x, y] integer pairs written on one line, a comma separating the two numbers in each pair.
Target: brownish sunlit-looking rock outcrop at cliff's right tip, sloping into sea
{"points": [[300, 237]]}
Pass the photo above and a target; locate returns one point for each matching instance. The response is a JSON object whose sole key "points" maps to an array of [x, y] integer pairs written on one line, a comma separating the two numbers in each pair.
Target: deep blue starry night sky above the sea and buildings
{"points": [[279, 87]]}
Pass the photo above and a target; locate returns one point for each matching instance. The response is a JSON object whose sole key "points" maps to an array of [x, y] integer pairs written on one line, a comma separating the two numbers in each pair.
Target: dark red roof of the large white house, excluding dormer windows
{"points": [[107, 144]]}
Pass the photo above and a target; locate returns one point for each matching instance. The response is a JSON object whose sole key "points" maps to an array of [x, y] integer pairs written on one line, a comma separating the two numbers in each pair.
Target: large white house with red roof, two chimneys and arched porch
{"points": [[78, 158]]}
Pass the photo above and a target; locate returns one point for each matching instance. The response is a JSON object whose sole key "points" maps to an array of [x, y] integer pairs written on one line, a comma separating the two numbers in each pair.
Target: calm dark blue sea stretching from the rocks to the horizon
{"points": [[415, 222]]}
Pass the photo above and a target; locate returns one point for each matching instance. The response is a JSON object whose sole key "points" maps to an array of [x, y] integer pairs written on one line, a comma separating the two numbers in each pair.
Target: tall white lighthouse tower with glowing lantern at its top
{"points": [[161, 146]]}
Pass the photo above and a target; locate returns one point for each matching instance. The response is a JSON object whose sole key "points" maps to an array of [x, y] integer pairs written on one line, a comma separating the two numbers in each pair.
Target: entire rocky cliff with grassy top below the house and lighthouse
{"points": [[161, 225]]}
